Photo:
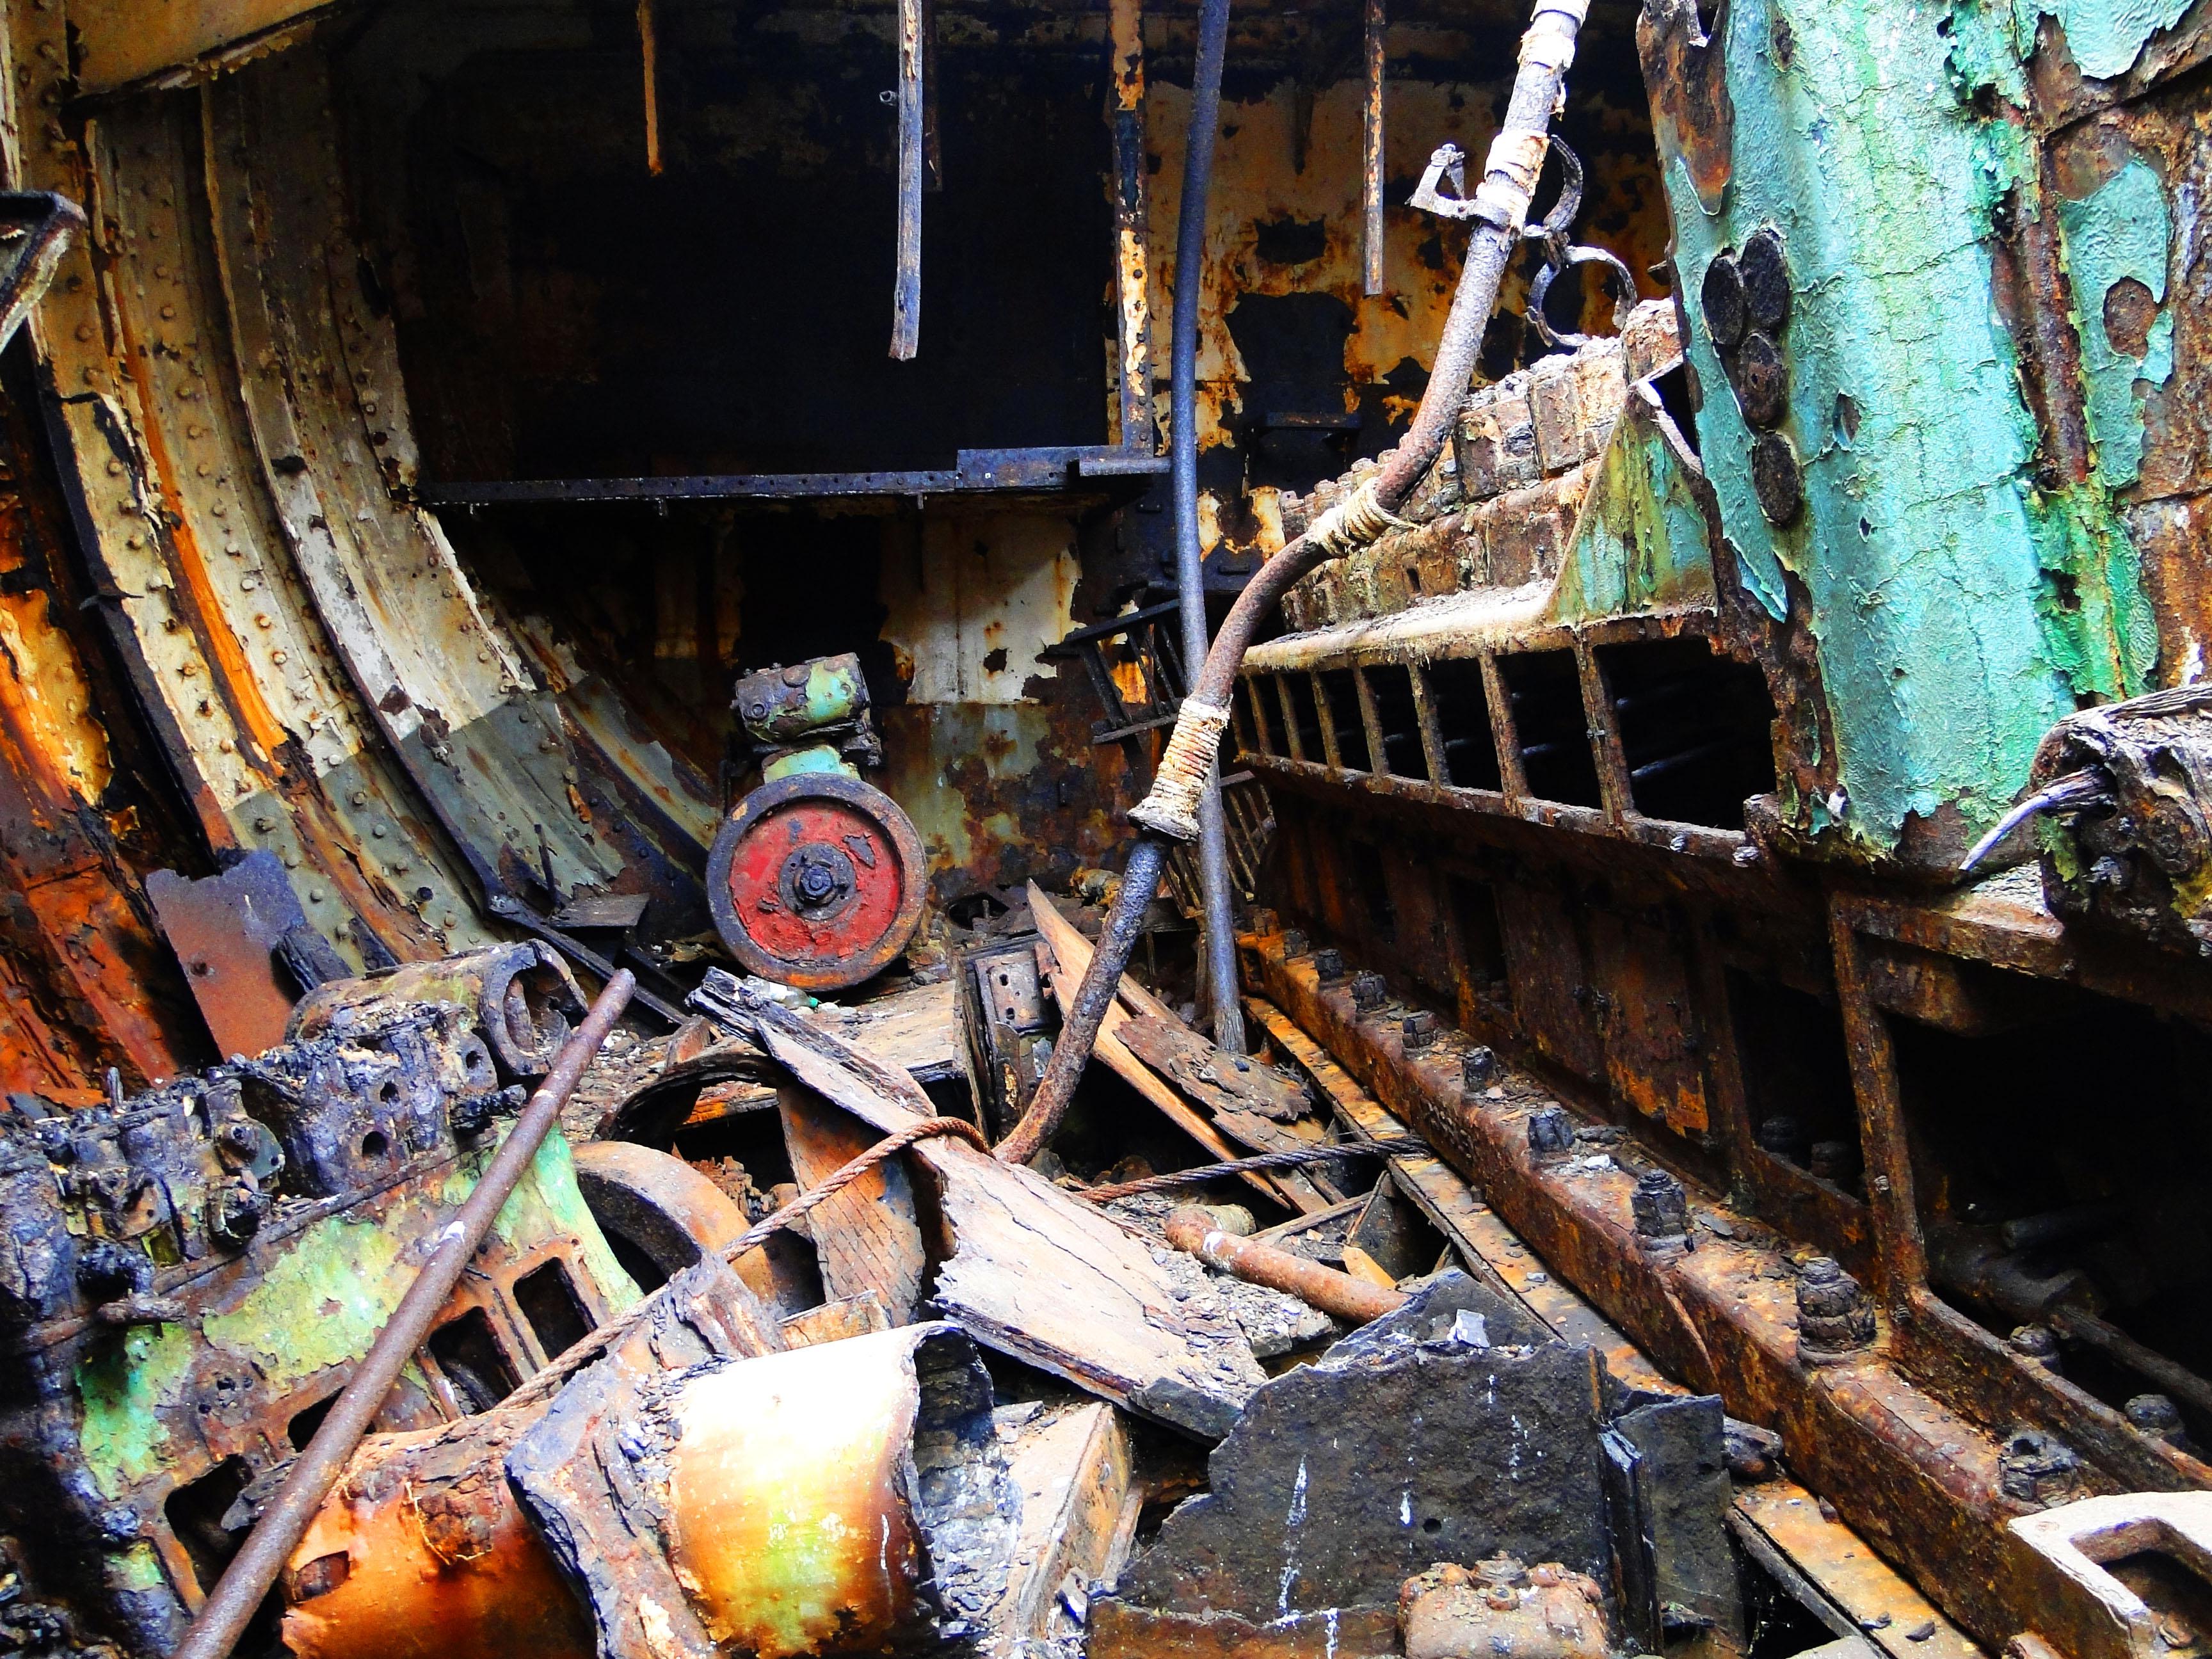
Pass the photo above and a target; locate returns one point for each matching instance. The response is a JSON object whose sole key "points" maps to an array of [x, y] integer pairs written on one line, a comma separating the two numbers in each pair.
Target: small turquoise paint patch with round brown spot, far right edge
{"points": [[2118, 233]]}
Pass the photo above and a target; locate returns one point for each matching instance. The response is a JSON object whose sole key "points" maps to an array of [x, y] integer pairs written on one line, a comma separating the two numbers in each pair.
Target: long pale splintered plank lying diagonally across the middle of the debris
{"points": [[1036, 1273]]}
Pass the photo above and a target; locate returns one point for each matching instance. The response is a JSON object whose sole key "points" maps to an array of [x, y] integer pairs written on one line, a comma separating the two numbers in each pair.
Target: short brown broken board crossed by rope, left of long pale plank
{"points": [[868, 1238]]}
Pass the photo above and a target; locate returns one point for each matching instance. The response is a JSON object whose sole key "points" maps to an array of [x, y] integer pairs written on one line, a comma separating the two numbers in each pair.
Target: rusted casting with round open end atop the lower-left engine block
{"points": [[523, 994]]}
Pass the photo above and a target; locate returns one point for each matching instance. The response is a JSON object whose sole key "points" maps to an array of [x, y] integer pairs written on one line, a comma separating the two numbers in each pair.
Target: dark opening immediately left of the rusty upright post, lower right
{"points": [[1797, 1078]]}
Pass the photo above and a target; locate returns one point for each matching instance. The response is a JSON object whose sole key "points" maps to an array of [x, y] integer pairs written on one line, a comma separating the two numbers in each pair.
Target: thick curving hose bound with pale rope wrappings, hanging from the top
{"points": [[1536, 94]]}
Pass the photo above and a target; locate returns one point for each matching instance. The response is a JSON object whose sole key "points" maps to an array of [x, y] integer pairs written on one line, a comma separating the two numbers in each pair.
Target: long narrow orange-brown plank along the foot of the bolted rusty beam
{"points": [[1490, 1246]]}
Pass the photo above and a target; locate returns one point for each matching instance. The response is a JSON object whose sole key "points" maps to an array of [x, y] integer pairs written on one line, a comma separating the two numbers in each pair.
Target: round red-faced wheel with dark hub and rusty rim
{"points": [[817, 881]]}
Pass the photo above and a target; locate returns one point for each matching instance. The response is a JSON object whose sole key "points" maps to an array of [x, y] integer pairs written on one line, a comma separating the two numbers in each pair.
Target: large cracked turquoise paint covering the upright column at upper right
{"points": [[1959, 612]]}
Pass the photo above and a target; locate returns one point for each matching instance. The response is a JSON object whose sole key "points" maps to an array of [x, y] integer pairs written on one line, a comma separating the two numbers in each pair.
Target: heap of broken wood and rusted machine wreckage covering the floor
{"points": [[775, 1355]]}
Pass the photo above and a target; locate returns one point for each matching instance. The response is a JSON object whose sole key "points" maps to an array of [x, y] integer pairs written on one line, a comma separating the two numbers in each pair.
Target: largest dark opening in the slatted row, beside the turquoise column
{"points": [[1698, 729]]}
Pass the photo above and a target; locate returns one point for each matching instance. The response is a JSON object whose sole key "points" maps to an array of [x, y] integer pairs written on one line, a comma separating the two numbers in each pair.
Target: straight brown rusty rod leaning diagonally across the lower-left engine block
{"points": [[238, 1596]]}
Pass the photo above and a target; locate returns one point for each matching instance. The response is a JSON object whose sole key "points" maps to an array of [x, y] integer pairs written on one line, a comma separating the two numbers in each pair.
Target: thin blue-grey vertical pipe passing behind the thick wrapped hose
{"points": [[1224, 1003]]}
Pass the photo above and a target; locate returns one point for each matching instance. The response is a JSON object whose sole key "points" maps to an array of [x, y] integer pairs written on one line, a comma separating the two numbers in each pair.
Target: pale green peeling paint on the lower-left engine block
{"points": [[317, 1304]]}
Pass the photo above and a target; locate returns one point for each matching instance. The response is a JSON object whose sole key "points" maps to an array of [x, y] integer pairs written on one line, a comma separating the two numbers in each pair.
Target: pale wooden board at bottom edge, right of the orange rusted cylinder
{"points": [[1074, 1470]]}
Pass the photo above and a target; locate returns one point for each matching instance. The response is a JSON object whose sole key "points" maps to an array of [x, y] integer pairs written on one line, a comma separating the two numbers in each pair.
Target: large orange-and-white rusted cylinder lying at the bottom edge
{"points": [[842, 1499]]}
